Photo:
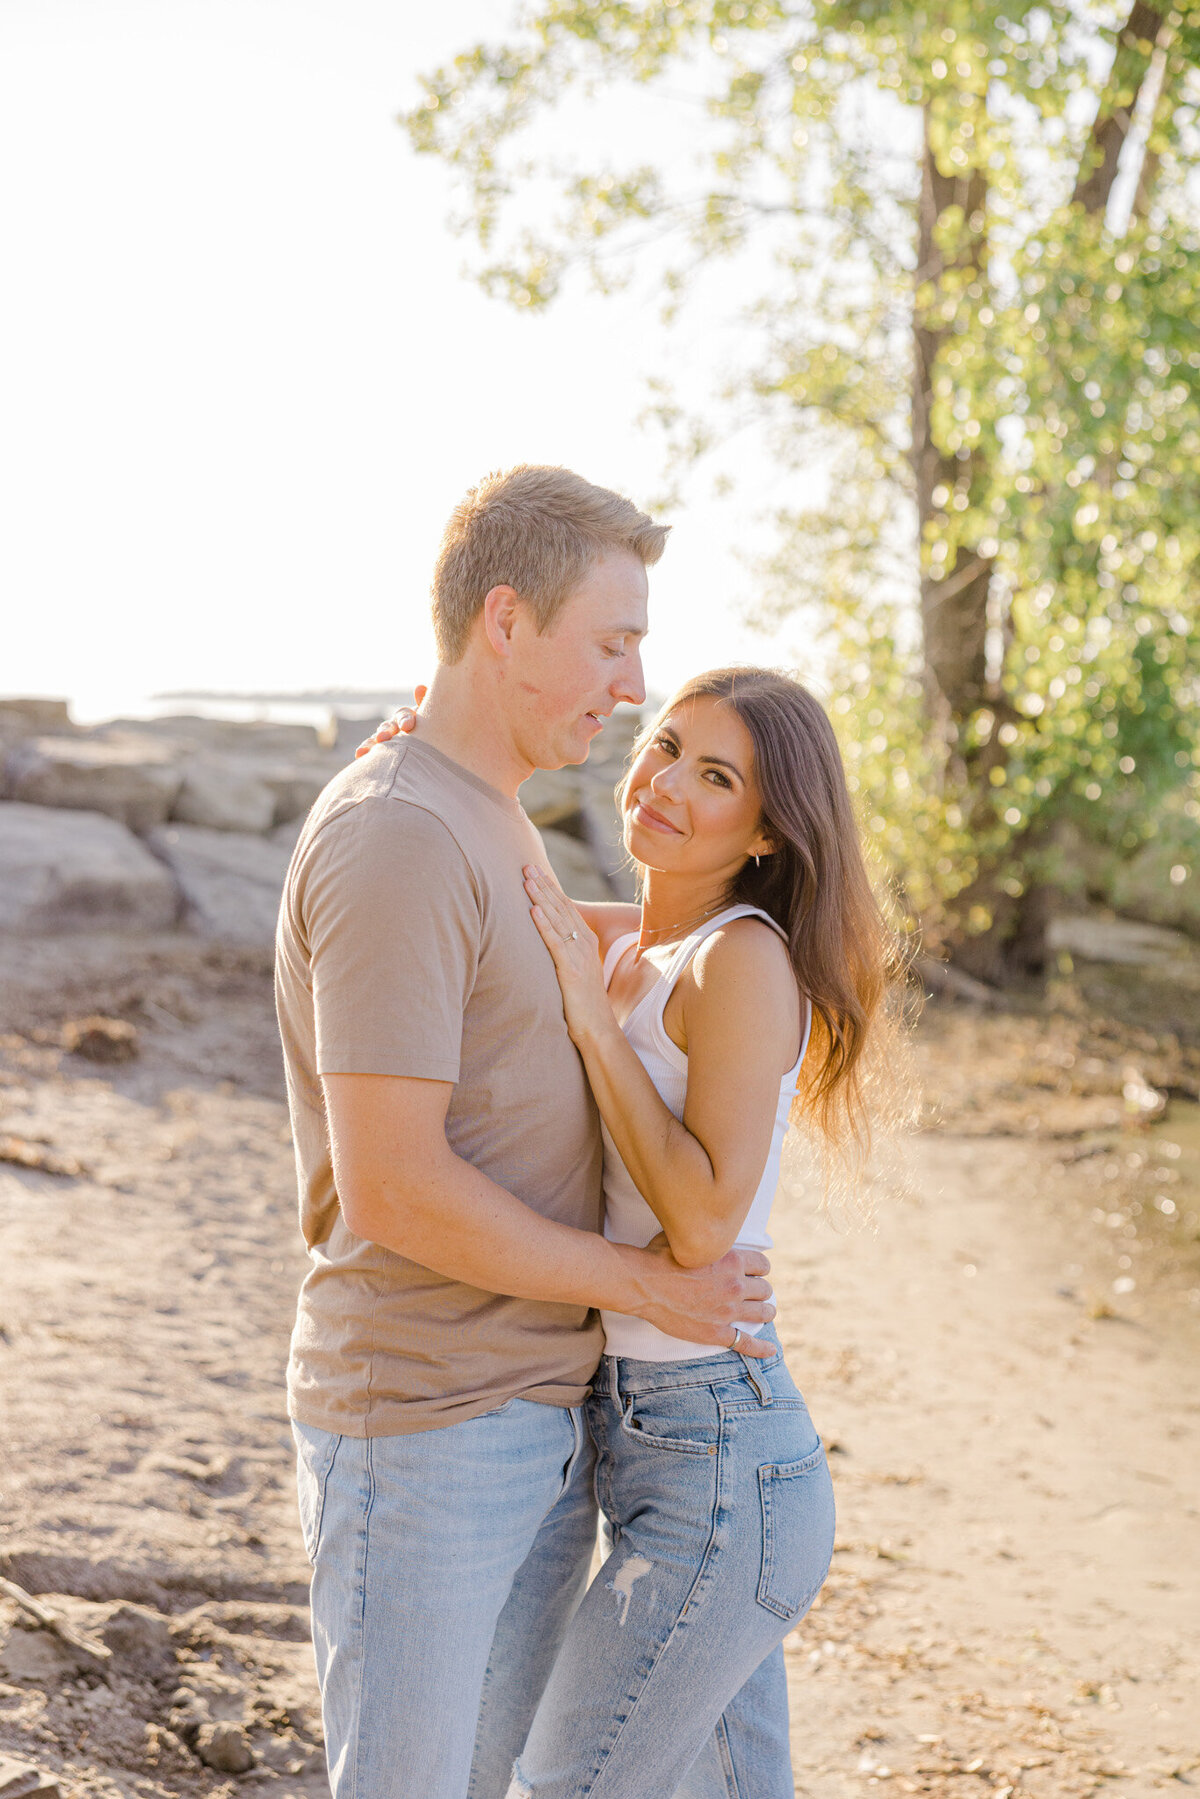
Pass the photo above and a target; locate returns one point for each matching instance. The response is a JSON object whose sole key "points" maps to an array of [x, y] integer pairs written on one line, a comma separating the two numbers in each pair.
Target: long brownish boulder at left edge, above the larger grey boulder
{"points": [[125, 776]]}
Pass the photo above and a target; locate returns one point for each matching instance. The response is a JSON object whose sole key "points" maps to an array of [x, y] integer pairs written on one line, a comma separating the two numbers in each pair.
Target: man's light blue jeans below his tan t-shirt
{"points": [[445, 1570]]}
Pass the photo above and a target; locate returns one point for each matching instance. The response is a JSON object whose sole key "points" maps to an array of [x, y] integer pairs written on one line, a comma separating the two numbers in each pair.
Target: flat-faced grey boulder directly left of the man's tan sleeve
{"points": [[231, 882]]}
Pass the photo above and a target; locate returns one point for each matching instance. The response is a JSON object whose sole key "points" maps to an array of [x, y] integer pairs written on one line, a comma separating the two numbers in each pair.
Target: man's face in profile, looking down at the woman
{"points": [[568, 681]]}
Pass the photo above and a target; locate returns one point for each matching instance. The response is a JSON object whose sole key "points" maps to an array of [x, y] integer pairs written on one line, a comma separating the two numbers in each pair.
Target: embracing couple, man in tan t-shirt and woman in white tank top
{"points": [[539, 1147]]}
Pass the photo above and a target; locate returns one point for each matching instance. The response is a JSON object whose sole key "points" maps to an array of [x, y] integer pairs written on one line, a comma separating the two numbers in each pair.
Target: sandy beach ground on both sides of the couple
{"points": [[1005, 1375]]}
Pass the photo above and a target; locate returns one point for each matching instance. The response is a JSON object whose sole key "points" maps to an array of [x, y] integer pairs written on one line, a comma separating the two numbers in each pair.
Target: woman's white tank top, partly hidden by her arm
{"points": [[627, 1215]]}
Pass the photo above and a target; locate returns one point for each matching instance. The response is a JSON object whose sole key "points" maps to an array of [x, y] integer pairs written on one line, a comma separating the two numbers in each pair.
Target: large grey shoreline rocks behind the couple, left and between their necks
{"points": [[188, 823]]}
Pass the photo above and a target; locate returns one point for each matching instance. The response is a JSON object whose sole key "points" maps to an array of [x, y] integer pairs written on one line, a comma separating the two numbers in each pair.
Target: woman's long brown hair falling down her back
{"points": [[816, 886]]}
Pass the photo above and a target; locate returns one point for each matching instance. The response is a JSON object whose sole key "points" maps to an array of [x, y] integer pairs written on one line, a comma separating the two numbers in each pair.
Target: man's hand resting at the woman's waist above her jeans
{"points": [[704, 1305]]}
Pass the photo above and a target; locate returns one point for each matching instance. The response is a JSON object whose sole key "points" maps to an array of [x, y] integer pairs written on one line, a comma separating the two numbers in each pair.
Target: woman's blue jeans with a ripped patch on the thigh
{"points": [[721, 1508]]}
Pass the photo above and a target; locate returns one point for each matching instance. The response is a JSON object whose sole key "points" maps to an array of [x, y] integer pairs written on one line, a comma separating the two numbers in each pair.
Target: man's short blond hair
{"points": [[533, 530]]}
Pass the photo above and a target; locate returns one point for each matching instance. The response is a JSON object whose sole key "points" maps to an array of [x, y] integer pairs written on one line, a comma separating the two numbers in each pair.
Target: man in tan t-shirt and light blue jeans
{"points": [[451, 1167]]}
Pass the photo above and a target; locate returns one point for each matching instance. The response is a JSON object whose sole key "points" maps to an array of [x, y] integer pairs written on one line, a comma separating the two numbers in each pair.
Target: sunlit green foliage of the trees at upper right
{"points": [[1064, 393]]}
